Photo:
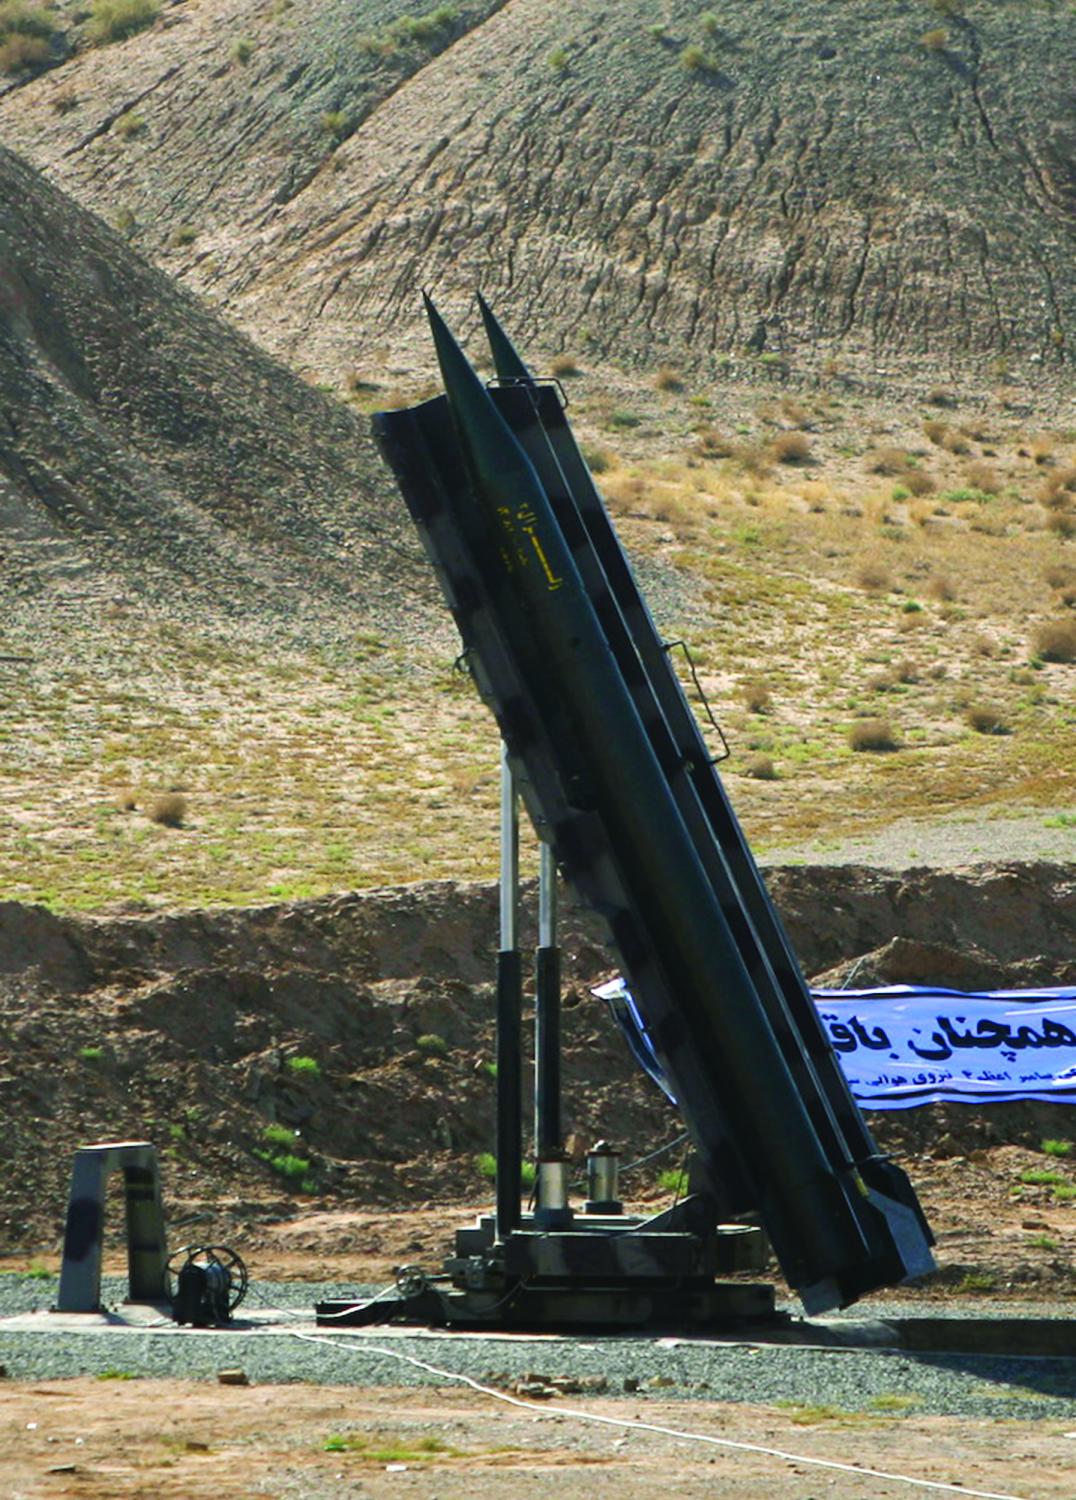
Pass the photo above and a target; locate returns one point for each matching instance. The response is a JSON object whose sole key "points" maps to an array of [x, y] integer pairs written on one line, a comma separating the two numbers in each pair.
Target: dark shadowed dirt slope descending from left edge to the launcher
{"points": [[148, 451]]}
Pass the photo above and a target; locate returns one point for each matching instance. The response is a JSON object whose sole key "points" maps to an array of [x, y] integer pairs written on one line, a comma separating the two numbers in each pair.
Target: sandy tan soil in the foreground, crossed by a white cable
{"points": [[196, 1442]]}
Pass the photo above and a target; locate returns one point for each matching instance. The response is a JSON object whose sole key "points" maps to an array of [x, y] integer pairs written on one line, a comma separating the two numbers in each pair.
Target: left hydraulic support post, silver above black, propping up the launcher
{"points": [[509, 1015]]}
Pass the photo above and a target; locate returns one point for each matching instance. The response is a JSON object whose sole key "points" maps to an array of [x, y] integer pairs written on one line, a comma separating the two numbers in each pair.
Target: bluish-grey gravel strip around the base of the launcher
{"points": [[855, 1381]]}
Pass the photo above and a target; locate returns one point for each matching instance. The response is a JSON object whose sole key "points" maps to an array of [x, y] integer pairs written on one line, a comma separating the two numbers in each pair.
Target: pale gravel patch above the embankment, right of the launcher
{"points": [[946, 844]]}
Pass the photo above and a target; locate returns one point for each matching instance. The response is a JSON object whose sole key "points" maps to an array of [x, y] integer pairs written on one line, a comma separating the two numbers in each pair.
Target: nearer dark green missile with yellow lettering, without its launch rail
{"points": [[675, 938]]}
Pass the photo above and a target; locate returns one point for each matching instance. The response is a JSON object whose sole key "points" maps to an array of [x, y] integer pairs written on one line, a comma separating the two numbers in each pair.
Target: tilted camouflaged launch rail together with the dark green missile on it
{"points": [[570, 670]]}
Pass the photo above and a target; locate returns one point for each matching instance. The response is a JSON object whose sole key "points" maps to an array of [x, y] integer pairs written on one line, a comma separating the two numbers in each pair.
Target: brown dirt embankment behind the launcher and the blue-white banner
{"points": [[337, 1054]]}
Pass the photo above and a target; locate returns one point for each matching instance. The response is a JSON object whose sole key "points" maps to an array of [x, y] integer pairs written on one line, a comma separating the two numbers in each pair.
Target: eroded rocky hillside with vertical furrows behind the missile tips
{"points": [[891, 185]]}
